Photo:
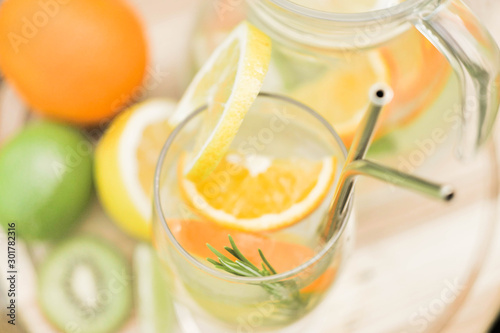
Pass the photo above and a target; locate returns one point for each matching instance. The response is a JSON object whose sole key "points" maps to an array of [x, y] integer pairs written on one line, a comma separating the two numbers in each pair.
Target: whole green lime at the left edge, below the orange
{"points": [[45, 180]]}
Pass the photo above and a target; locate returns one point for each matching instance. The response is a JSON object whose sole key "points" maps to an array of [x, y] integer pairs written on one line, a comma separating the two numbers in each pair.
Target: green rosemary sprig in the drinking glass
{"points": [[284, 294]]}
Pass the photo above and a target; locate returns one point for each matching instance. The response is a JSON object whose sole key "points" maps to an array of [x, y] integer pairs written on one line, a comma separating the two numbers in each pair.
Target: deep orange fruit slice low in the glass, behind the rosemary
{"points": [[194, 235]]}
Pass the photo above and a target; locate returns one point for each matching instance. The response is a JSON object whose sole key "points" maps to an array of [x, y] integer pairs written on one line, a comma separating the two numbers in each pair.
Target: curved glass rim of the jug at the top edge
{"points": [[403, 9]]}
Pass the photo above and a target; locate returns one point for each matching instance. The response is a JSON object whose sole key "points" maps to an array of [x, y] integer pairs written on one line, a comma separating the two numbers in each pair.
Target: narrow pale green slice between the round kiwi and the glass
{"points": [[153, 296]]}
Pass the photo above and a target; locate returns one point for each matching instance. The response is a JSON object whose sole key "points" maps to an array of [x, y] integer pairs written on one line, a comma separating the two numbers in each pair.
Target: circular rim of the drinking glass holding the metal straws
{"points": [[218, 273]]}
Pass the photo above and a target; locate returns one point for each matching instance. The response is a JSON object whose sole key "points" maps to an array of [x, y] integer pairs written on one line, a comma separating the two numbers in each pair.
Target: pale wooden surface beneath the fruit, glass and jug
{"points": [[398, 270]]}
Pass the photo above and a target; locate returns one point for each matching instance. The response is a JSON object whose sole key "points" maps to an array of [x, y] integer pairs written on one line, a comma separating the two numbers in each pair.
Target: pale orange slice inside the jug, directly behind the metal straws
{"points": [[341, 95]]}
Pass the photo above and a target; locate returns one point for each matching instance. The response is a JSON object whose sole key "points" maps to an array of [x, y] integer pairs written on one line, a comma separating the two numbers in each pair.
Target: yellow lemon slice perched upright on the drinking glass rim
{"points": [[229, 82]]}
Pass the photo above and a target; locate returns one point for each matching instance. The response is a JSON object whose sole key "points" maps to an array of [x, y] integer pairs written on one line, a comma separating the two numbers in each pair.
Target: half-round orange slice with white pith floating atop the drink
{"points": [[256, 193]]}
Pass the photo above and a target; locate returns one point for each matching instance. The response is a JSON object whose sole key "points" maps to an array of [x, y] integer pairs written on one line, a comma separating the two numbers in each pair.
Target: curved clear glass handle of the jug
{"points": [[461, 38]]}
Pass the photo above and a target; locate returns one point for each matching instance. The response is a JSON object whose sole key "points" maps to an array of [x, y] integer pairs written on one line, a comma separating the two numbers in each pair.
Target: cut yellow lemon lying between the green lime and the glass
{"points": [[125, 162]]}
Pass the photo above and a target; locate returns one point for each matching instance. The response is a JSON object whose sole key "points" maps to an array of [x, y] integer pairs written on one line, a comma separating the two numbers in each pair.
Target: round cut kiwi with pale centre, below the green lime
{"points": [[85, 286]]}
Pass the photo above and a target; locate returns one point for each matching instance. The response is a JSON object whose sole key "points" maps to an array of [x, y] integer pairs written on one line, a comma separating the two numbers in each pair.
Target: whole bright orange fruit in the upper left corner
{"points": [[74, 60]]}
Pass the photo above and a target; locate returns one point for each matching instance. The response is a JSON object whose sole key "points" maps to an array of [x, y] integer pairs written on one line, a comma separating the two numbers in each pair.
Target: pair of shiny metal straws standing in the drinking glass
{"points": [[355, 164]]}
